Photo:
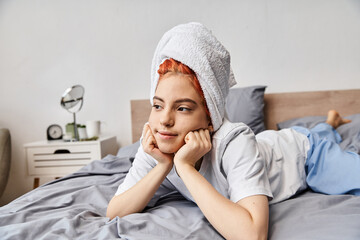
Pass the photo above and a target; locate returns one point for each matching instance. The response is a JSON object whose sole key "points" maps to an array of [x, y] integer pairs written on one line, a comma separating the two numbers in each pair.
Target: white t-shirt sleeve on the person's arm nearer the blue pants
{"points": [[244, 168]]}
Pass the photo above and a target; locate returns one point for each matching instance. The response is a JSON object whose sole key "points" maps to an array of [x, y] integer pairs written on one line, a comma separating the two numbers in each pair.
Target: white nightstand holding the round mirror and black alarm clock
{"points": [[54, 159]]}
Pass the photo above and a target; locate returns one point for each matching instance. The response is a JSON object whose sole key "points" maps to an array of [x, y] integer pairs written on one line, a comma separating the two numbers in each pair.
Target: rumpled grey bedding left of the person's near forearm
{"points": [[74, 207]]}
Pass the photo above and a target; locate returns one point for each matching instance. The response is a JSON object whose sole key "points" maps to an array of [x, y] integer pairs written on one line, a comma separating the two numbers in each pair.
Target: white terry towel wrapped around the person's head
{"points": [[194, 45]]}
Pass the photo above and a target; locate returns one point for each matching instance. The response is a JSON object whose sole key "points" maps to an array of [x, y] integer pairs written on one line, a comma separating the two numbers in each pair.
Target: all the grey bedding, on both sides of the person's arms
{"points": [[74, 207]]}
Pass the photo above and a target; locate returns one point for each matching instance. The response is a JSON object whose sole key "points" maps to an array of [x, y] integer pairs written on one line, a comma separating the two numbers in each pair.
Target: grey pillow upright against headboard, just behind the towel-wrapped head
{"points": [[247, 105]]}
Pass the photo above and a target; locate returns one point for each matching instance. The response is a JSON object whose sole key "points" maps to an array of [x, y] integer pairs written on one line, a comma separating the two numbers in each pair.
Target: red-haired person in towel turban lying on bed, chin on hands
{"points": [[188, 146]]}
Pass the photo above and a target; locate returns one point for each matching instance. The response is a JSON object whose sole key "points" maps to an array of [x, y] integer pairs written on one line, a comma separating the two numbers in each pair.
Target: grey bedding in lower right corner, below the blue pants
{"points": [[316, 216]]}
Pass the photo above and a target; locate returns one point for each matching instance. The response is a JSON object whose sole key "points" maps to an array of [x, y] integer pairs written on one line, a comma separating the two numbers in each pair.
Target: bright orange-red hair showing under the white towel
{"points": [[173, 66]]}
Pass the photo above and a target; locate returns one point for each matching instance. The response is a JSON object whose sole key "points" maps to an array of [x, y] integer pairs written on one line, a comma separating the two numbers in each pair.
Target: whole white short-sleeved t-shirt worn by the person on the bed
{"points": [[239, 165]]}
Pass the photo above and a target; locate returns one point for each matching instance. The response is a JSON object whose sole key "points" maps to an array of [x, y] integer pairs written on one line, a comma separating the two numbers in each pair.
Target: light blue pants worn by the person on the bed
{"points": [[329, 169]]}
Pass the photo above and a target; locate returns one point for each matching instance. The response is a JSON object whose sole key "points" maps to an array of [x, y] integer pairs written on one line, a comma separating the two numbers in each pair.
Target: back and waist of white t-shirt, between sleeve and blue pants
{"points": [[285, 153]]}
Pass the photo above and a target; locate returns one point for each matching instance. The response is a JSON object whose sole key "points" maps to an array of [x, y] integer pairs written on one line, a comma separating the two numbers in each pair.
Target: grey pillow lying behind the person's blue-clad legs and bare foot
{"points": [[350, 132]]}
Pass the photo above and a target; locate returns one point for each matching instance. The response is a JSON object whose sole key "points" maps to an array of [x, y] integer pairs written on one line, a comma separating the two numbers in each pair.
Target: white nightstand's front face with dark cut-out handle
{"points": [[60, 160]]}
